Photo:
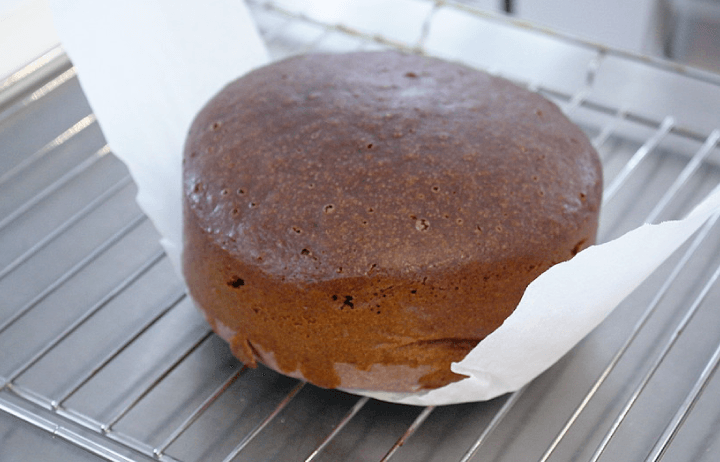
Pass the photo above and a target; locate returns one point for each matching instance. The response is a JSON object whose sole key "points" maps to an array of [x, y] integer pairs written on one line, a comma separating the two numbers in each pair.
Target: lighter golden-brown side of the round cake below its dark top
{"points": [[383, 331]]}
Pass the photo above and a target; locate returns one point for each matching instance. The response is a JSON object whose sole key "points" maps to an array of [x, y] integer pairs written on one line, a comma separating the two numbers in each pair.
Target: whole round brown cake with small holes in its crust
{"points": [[363, 220]]}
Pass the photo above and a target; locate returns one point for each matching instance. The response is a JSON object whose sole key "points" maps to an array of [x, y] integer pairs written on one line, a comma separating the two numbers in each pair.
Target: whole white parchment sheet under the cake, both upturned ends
{"points": [[147, 67]]}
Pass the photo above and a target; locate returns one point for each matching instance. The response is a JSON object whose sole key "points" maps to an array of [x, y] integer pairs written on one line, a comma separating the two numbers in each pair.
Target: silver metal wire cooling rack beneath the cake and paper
{"points": [[103, 357]]}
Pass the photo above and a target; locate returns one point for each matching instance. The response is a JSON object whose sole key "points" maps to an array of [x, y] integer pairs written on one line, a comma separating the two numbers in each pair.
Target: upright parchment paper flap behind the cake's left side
{"points": [[147, 67]]}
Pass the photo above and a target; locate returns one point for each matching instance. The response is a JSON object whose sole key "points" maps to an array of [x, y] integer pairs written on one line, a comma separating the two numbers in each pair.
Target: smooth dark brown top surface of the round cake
{"points": [[327, 166]]}
